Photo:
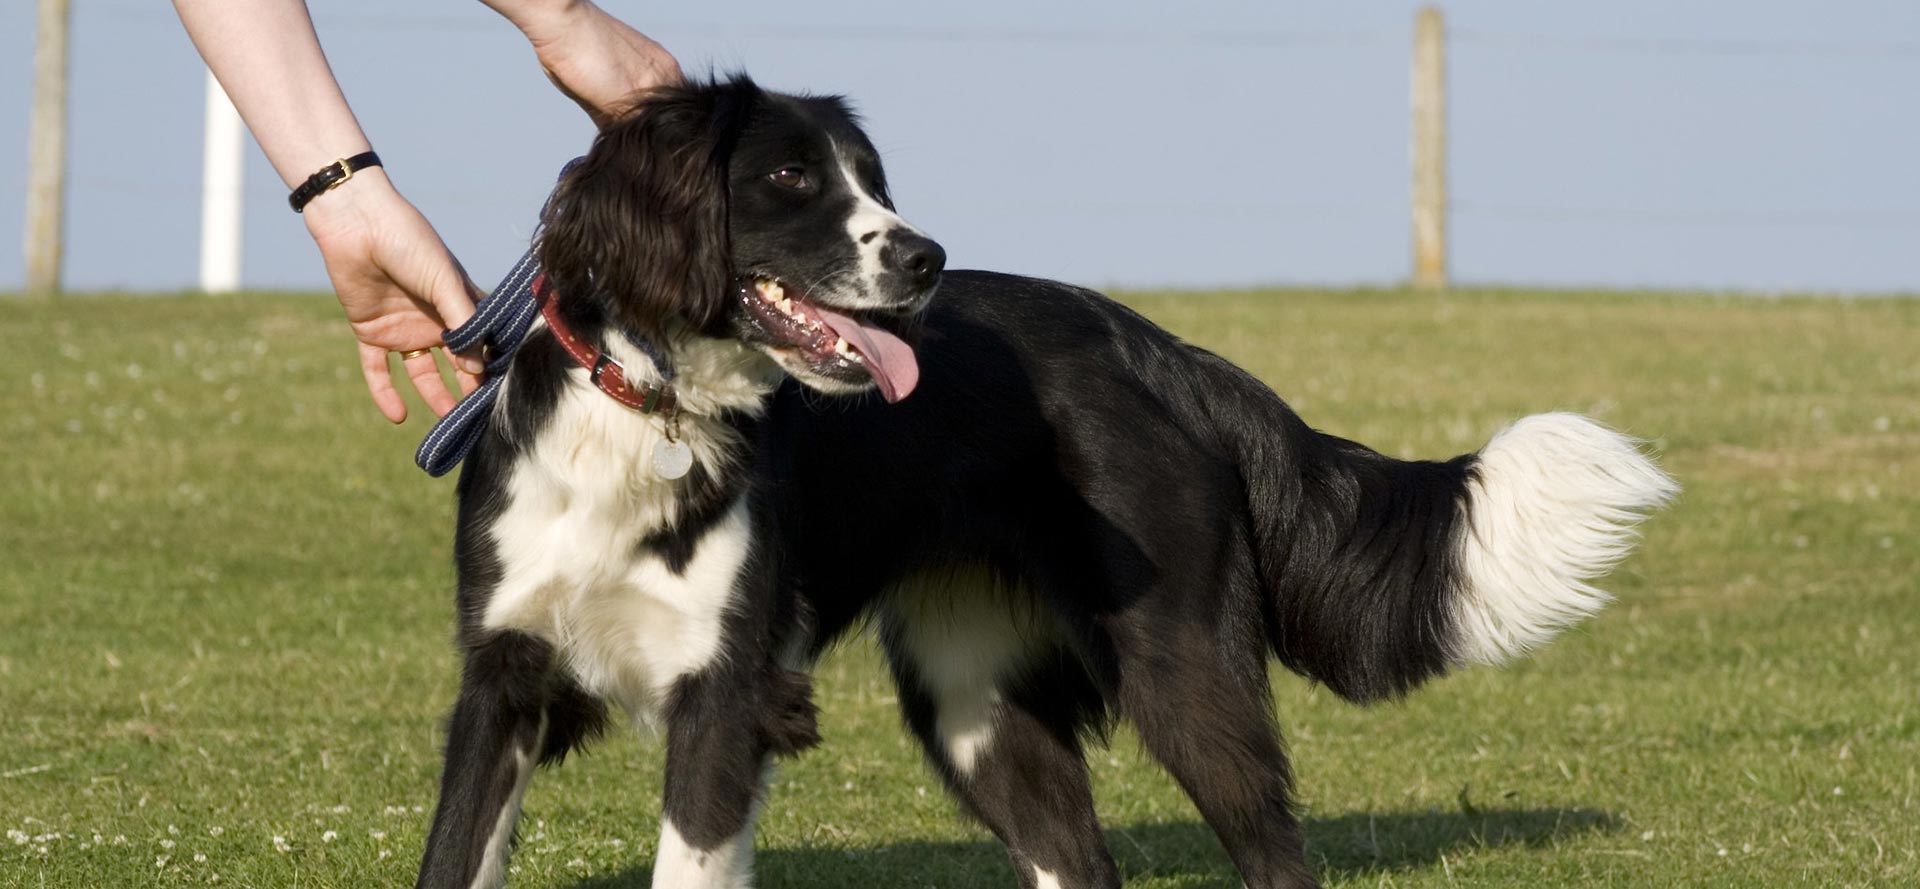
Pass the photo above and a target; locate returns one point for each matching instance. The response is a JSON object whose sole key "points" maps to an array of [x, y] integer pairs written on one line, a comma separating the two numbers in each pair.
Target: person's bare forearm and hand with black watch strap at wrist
{"points": [[395, 277]]}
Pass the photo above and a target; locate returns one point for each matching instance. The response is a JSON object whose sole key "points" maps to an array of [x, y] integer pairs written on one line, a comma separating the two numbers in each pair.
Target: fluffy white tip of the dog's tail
{"points": [[1552, 508]]}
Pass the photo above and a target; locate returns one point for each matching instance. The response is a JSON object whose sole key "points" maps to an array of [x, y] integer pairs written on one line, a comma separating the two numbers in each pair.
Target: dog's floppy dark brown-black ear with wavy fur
{"points": [[642, 224]]}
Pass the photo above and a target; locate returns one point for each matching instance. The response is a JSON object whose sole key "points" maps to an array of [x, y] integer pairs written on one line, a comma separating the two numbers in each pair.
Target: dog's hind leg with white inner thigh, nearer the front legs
{"points": [[1001, 713]]}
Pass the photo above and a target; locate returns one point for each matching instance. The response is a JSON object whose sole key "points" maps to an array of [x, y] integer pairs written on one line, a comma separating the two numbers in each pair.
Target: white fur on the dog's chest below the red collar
{"points": [[583, 500]]}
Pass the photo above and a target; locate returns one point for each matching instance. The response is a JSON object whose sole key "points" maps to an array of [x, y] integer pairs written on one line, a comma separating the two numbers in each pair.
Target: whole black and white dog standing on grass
{"points": [[1074, 517]]}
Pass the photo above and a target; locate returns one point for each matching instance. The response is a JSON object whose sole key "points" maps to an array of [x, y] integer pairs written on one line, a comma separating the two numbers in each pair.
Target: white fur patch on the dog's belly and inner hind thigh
{"points": [[965, 638]]}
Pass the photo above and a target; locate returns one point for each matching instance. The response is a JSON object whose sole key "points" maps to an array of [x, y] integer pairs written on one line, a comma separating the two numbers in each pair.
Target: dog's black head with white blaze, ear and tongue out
{"points": [[729, 212]]}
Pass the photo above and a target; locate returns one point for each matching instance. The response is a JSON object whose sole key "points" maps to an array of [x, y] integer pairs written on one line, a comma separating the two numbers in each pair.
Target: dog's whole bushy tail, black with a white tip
{"points": [[1385, 573]]}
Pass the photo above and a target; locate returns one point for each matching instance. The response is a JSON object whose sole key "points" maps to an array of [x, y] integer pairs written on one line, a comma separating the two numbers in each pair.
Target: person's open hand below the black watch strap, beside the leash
{"points": [[398, 285]]}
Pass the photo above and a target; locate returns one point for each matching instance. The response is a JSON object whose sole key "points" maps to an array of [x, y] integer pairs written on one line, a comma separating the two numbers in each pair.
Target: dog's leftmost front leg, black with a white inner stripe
{"points": [[500, 733]]}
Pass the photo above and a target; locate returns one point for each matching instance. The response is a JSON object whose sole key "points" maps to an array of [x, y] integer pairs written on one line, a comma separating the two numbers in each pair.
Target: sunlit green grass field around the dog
{"points": [[226, 619]]}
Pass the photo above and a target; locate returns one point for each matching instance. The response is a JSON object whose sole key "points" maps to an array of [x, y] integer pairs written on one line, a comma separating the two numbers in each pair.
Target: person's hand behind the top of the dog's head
{"points": [[594, 59]]}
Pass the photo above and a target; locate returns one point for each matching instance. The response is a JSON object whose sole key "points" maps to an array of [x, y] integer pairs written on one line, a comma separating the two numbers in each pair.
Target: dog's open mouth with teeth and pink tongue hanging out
{"points": [[832, 345]]}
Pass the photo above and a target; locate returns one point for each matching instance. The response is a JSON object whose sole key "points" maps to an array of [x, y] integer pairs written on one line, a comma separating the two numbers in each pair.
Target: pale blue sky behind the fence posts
{"points": [[1646, 143]]}
